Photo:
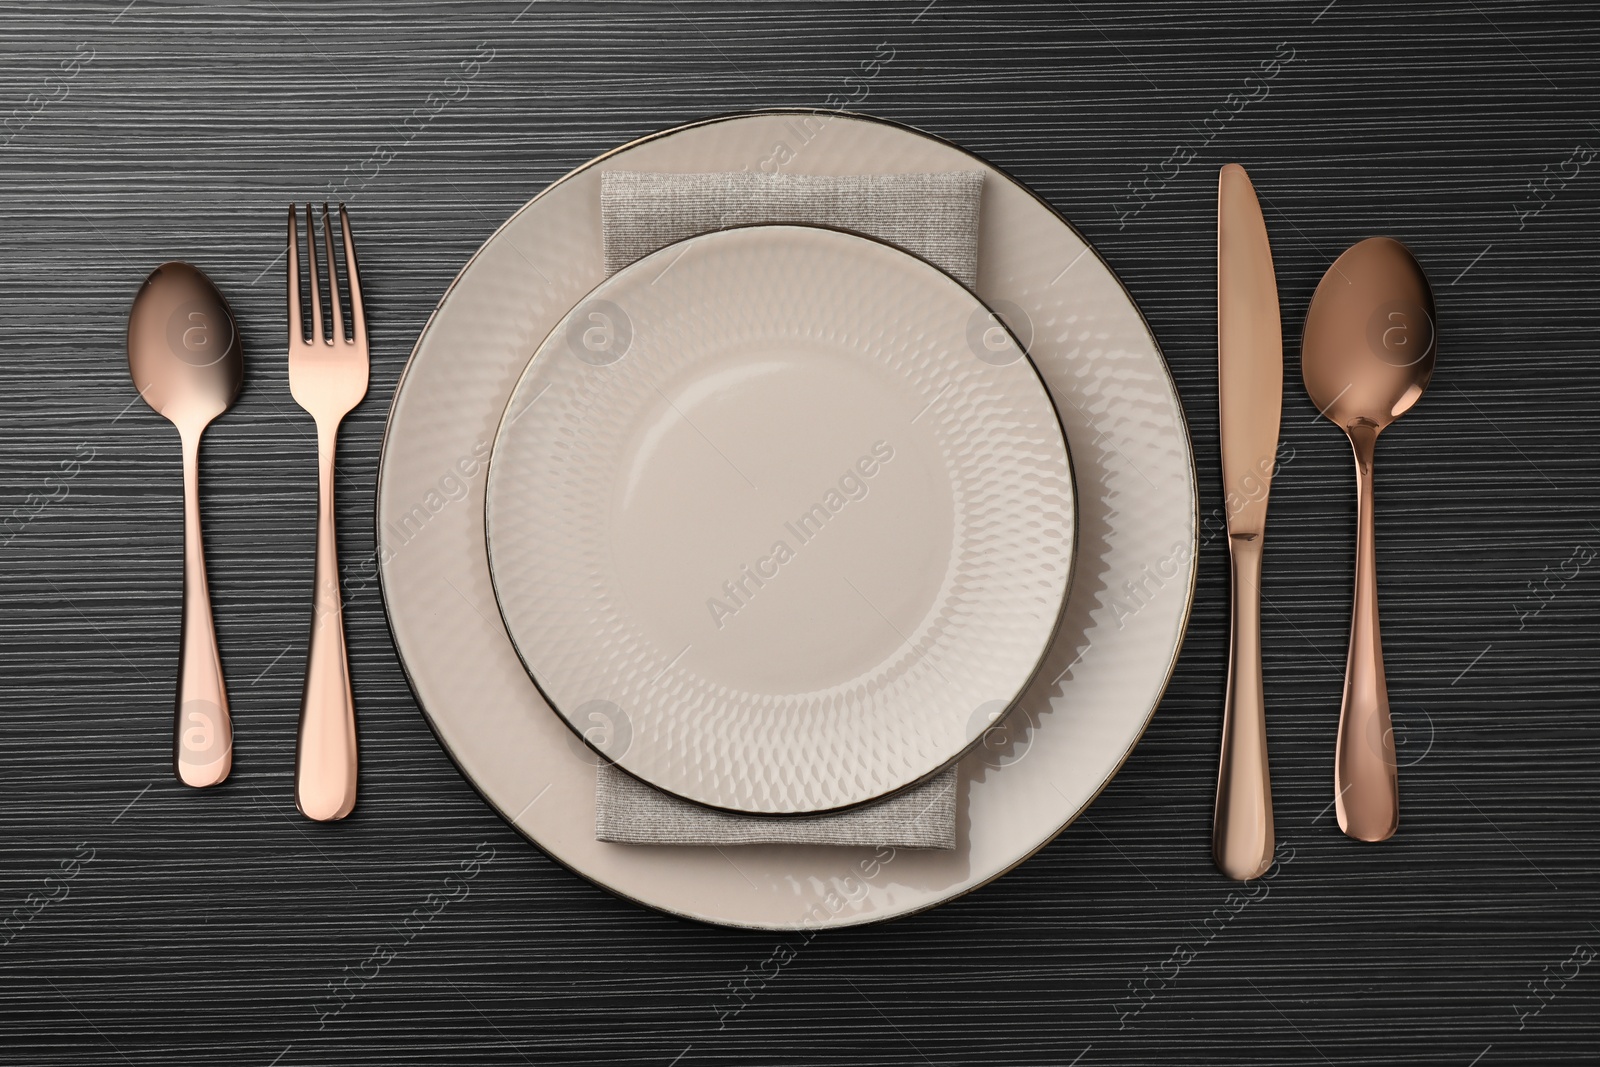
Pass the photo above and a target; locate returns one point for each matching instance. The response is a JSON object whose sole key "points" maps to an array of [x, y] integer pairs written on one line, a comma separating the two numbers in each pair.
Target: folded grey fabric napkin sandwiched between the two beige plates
{"points": [[934, 217]]}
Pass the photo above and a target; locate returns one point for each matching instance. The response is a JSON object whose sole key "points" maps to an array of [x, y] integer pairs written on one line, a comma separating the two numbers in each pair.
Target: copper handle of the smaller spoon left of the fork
{"points": [[202, 732]]}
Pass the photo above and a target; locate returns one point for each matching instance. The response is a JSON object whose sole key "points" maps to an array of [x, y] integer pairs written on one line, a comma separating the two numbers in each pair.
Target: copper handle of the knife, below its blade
{"points": [[1242, 831]]}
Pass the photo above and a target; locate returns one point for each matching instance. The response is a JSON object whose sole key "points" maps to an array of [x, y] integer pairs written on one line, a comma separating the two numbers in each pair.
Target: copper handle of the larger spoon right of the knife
{"points": [[1366, 777]]}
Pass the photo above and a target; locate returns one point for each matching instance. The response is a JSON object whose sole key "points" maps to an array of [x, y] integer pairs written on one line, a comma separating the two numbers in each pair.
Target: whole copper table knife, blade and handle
{"points": [[1250, 399]]}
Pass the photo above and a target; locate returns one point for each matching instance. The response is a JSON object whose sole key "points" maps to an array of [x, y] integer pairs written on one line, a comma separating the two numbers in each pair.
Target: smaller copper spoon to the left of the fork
{"points": [[185, 358]]}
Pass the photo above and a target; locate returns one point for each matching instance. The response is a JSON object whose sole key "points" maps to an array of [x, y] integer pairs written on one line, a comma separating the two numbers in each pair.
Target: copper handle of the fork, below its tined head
{"points": [[326, 761]]}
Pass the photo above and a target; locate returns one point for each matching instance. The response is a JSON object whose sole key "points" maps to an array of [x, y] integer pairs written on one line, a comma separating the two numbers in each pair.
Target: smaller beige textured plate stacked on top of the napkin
{"points": [[761, 500]]}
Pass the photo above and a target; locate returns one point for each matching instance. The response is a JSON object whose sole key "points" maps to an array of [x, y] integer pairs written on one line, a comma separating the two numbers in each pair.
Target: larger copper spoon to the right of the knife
{"points": [[1367, 356]]}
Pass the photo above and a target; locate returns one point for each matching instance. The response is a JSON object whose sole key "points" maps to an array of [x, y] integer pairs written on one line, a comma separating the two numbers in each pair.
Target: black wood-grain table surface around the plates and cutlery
{"points": [[214, 929]]}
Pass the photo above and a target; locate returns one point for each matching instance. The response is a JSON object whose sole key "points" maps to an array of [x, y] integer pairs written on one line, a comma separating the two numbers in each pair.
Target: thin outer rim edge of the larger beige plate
{"points": [[1178, 409]]}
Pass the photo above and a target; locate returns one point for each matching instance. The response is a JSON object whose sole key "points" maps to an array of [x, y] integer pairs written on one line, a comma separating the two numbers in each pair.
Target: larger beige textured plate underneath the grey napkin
{"points": [[1073, 729]]}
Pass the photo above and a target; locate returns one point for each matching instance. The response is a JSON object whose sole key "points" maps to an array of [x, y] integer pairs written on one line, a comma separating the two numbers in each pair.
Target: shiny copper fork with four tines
{"points": [[329, 378]]}
